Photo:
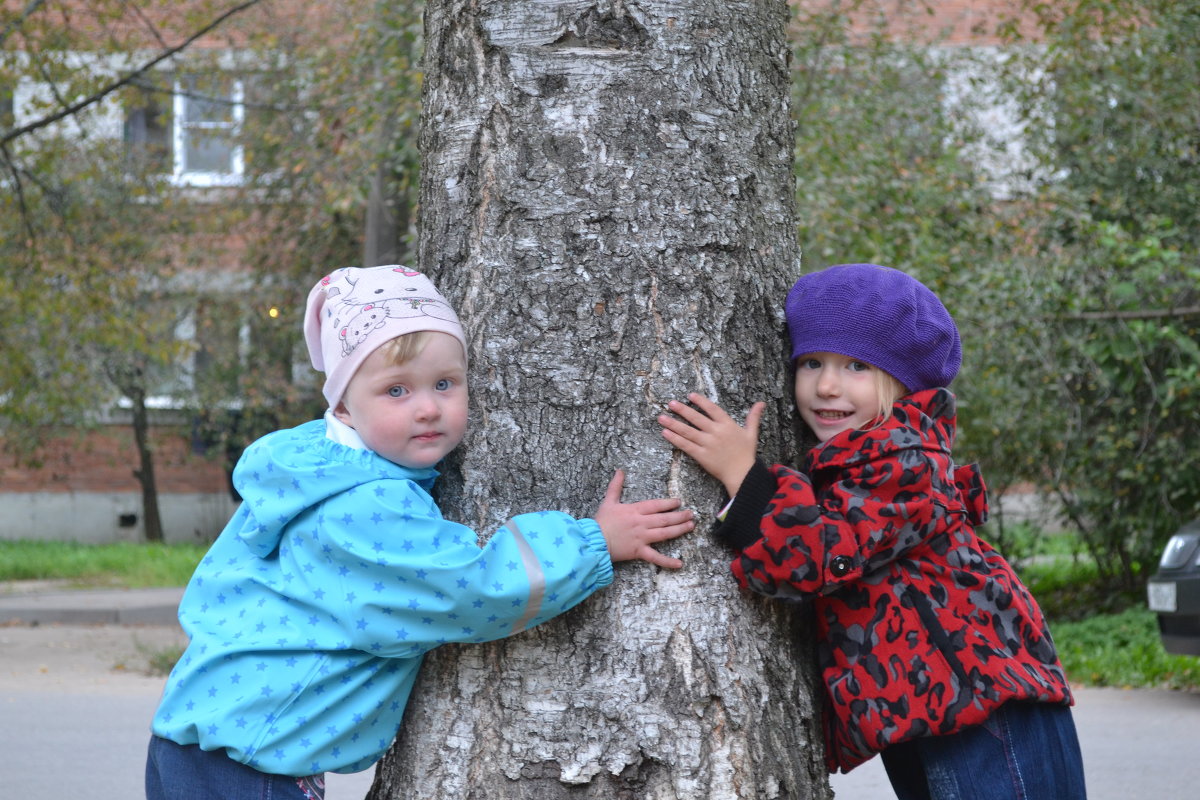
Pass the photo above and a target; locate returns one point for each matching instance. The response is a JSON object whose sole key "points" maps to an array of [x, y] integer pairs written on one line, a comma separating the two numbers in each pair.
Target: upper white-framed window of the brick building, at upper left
{"points": [[188, 127]]}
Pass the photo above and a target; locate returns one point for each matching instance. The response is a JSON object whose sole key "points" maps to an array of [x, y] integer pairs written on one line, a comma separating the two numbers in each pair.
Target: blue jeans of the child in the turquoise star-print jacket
{"points": [[188, 773]]}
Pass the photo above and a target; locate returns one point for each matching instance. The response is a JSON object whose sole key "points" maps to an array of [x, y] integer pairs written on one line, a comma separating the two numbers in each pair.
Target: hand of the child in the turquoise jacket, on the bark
{"points": [[631, 528]]}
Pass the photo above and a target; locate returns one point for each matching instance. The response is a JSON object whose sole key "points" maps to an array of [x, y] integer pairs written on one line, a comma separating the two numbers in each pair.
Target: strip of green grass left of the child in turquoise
{"points": [[125, 564]]}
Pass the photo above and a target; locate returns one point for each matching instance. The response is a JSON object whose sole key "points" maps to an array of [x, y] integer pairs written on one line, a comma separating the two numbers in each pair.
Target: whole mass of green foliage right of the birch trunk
{"points": [[1071, 264]]}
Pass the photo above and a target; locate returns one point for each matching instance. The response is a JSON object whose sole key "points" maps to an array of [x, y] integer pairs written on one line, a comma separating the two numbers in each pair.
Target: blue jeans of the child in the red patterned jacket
{"points": [[1025, 751]]}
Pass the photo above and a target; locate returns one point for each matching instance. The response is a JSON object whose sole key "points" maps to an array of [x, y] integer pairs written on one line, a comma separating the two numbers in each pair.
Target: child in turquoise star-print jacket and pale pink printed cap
{"points": [[311, 613]]}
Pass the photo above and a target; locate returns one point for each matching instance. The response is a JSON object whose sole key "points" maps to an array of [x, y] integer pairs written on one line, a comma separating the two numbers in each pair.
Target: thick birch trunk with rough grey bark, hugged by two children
{"points": [[608, 199]]}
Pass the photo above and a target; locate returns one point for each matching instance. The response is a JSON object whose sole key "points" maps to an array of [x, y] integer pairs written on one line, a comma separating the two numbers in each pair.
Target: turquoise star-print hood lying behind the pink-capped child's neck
{"points": [[281, 477]]}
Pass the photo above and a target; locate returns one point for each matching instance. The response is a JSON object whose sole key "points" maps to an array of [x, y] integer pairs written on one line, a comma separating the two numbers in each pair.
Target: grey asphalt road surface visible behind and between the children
{"points": [[76, 702]]}
